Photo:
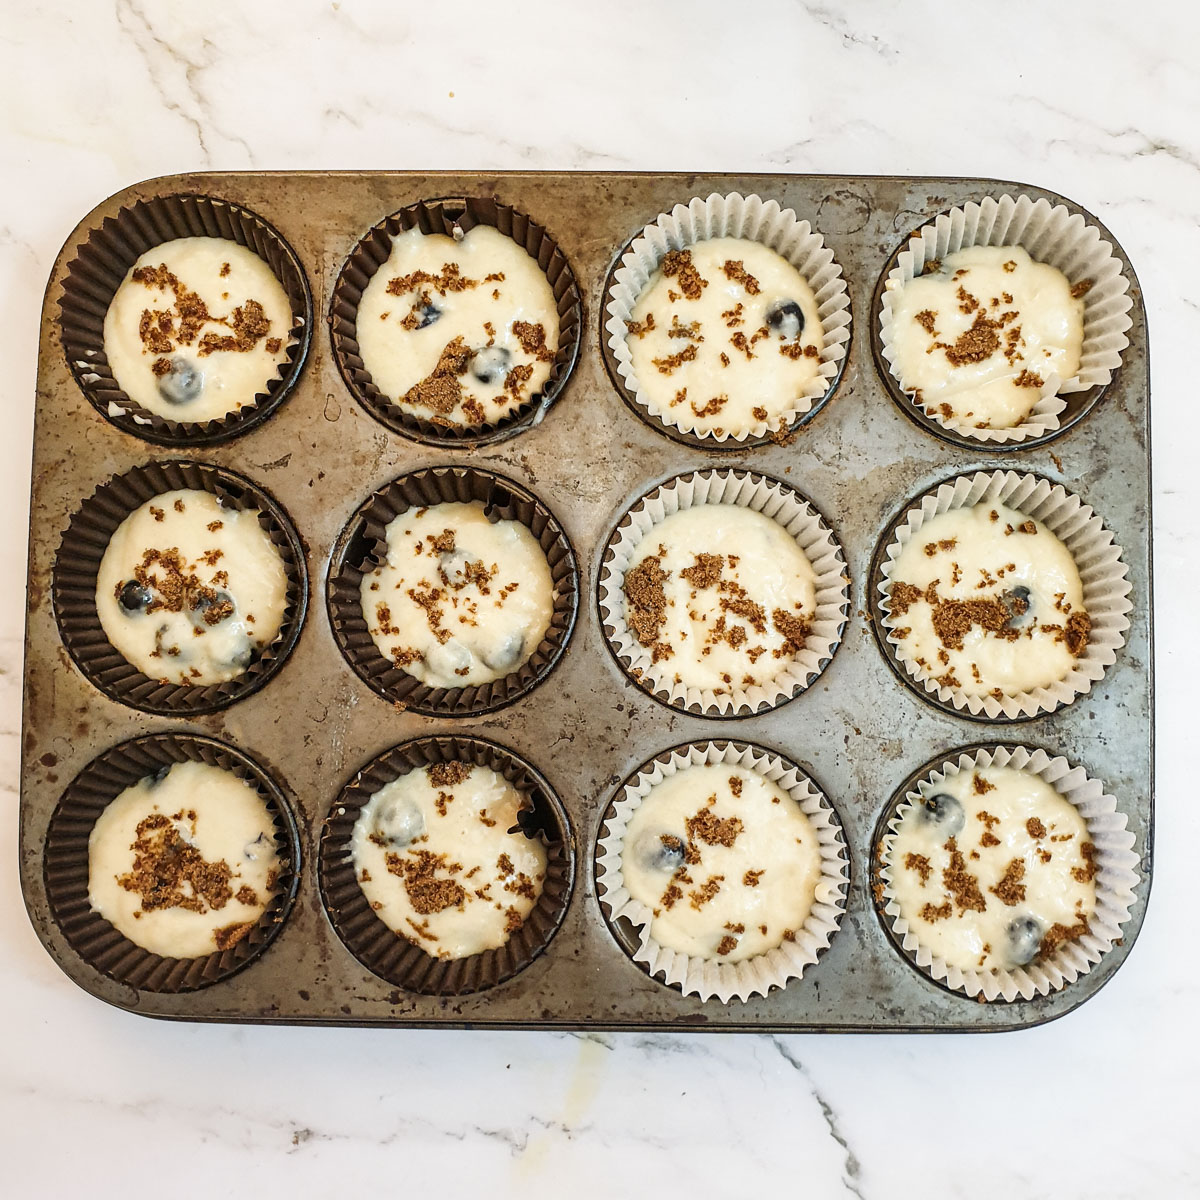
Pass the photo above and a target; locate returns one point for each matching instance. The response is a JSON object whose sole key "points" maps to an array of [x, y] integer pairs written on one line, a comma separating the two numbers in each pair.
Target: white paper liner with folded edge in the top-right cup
{"points": [[1051, 235]]}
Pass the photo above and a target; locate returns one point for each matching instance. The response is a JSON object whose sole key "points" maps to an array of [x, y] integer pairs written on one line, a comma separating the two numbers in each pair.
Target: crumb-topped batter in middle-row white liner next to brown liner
{"points": [[721, 597]]}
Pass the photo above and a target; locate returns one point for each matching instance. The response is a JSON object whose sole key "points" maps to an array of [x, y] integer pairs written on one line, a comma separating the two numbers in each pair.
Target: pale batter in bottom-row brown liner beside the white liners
{"points": [[435, 857]]}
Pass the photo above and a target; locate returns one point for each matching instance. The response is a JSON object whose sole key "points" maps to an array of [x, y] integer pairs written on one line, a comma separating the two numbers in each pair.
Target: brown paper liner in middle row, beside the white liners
{"points": [[363, 547]]}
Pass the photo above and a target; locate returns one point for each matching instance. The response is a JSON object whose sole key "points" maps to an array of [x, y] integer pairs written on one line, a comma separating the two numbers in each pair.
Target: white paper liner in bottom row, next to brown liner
{"points": [[631, 920]]}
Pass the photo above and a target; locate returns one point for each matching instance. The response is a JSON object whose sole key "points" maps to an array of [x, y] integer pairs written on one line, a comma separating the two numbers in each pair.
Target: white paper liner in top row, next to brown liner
{"points": [[755, 220]]}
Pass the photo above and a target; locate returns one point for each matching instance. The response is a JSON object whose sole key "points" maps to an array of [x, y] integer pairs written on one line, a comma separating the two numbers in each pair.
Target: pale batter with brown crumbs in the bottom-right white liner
{"points": [[993, 871]]}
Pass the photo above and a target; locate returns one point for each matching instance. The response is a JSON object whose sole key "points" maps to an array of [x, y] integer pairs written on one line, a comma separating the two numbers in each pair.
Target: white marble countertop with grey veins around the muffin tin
{"points": [[1073, 97]]}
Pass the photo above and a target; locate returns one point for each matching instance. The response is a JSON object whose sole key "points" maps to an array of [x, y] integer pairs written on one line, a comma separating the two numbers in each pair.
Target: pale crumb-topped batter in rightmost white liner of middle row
{"points": [[986, 601]]}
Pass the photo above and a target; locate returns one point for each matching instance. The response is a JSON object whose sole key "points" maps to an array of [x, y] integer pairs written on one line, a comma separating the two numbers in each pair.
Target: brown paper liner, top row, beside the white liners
{"points": [[454, 218]]}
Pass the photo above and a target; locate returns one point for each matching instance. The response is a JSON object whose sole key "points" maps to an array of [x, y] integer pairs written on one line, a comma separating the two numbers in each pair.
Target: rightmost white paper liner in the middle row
{"points": [[1102, 573]]}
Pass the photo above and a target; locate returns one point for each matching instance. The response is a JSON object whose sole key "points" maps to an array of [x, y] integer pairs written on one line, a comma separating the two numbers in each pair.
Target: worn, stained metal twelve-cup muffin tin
{"points": [[860, 733]]}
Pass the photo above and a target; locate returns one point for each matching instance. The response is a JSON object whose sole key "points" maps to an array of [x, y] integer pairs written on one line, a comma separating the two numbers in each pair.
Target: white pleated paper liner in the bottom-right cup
{"points": [[1115, 880]]}
